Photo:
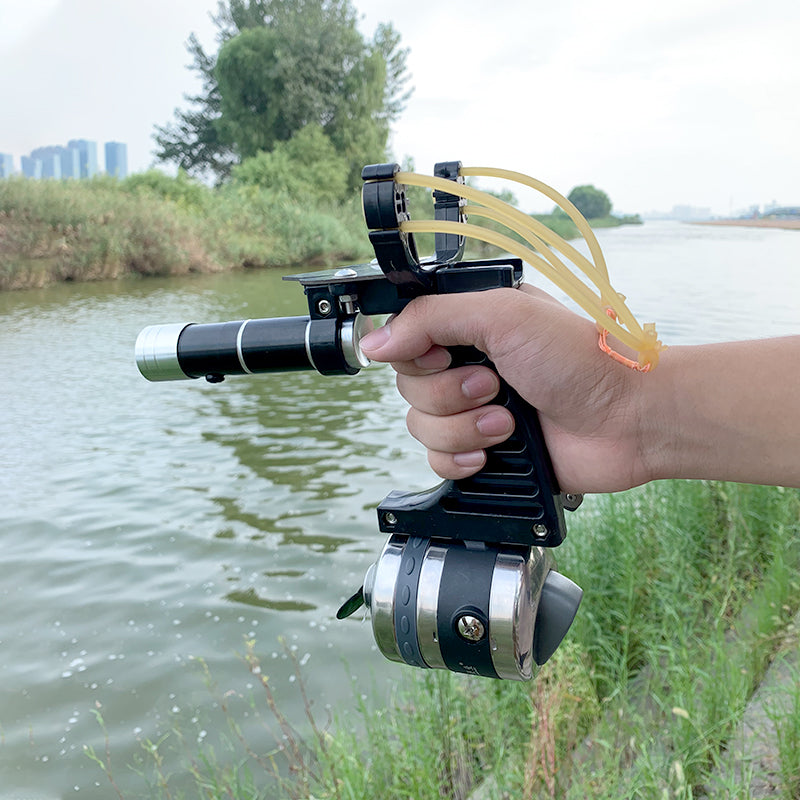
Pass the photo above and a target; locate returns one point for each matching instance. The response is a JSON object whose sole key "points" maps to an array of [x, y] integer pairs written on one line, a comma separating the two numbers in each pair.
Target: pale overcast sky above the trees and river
{"points": [[681, 102]]}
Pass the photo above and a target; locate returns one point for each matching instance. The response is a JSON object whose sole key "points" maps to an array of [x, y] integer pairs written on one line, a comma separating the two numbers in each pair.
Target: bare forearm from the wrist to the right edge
{"points": [[726, 412]]}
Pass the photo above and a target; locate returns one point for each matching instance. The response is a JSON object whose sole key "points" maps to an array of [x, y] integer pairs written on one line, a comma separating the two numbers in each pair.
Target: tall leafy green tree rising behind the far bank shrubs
{"points": [[283, 65]]}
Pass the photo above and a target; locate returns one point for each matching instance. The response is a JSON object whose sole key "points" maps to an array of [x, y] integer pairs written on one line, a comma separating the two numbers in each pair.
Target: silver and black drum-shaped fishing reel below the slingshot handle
{"points": [[468, 607]]}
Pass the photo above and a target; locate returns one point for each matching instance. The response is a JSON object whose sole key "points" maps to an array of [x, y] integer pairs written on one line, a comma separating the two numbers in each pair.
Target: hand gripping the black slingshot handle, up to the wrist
{"points": [[587, 403]]}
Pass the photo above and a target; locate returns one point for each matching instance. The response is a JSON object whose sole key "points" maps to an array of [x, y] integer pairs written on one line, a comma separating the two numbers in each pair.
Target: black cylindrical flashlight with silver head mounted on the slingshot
{"points": [[178, 351]]}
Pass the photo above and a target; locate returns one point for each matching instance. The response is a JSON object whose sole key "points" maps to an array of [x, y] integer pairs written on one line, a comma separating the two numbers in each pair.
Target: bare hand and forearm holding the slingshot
{"points": [[721, 412]]}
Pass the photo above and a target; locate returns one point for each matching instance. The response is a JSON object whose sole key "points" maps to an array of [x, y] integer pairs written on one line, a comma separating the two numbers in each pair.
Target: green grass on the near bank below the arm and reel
{"points": [[688, 588]]}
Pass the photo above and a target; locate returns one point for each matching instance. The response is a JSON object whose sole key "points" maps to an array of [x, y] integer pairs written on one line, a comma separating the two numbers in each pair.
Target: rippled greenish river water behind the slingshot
{"points": [[148, 528]]}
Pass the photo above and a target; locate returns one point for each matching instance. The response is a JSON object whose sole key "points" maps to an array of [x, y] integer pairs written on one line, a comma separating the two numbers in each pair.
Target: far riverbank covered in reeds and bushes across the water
{"points": [[152, 224]]}
